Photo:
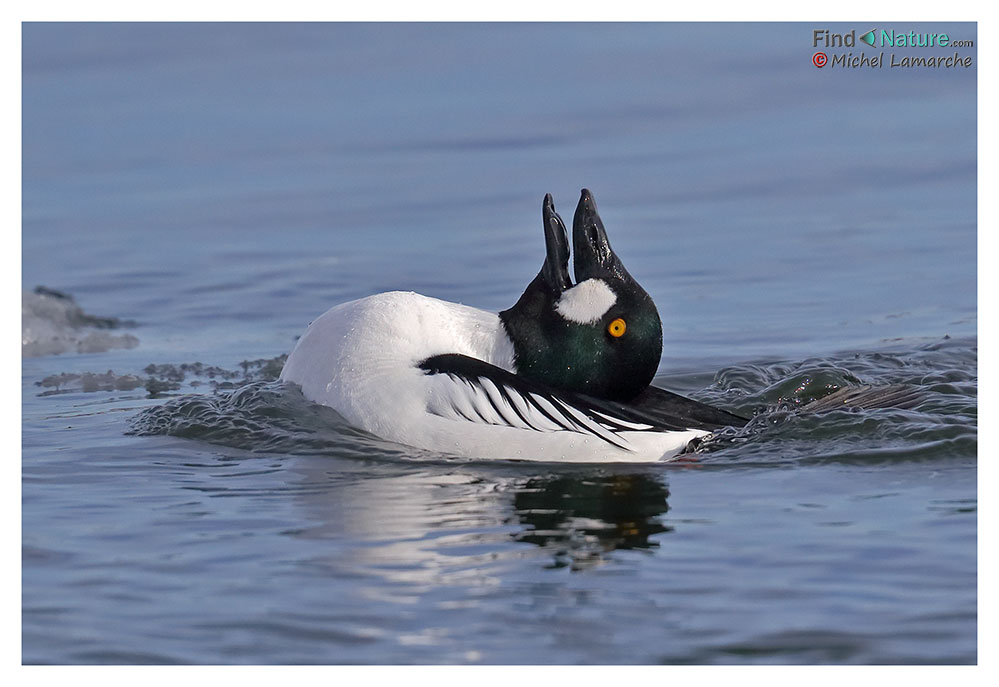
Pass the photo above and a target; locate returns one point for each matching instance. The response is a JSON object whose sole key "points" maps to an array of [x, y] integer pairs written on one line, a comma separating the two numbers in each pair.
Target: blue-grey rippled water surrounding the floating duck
{"points": [[220, 186]]}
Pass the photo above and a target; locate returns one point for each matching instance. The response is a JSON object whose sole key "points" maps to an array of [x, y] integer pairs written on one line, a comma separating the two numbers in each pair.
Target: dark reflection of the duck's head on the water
{"points": [[584, 517]]}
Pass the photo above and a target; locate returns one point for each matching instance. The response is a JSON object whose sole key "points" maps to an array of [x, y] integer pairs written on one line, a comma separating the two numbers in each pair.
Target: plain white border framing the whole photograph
{"points": [[520, 10]]}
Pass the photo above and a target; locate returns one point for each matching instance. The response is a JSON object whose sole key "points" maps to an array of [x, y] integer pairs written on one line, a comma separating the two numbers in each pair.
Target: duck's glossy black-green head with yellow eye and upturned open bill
{"points": [[600, 336]]}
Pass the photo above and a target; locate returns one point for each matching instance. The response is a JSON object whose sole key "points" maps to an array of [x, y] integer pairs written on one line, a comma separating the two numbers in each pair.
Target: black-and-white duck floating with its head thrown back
{"points": [[564, 375]]}
